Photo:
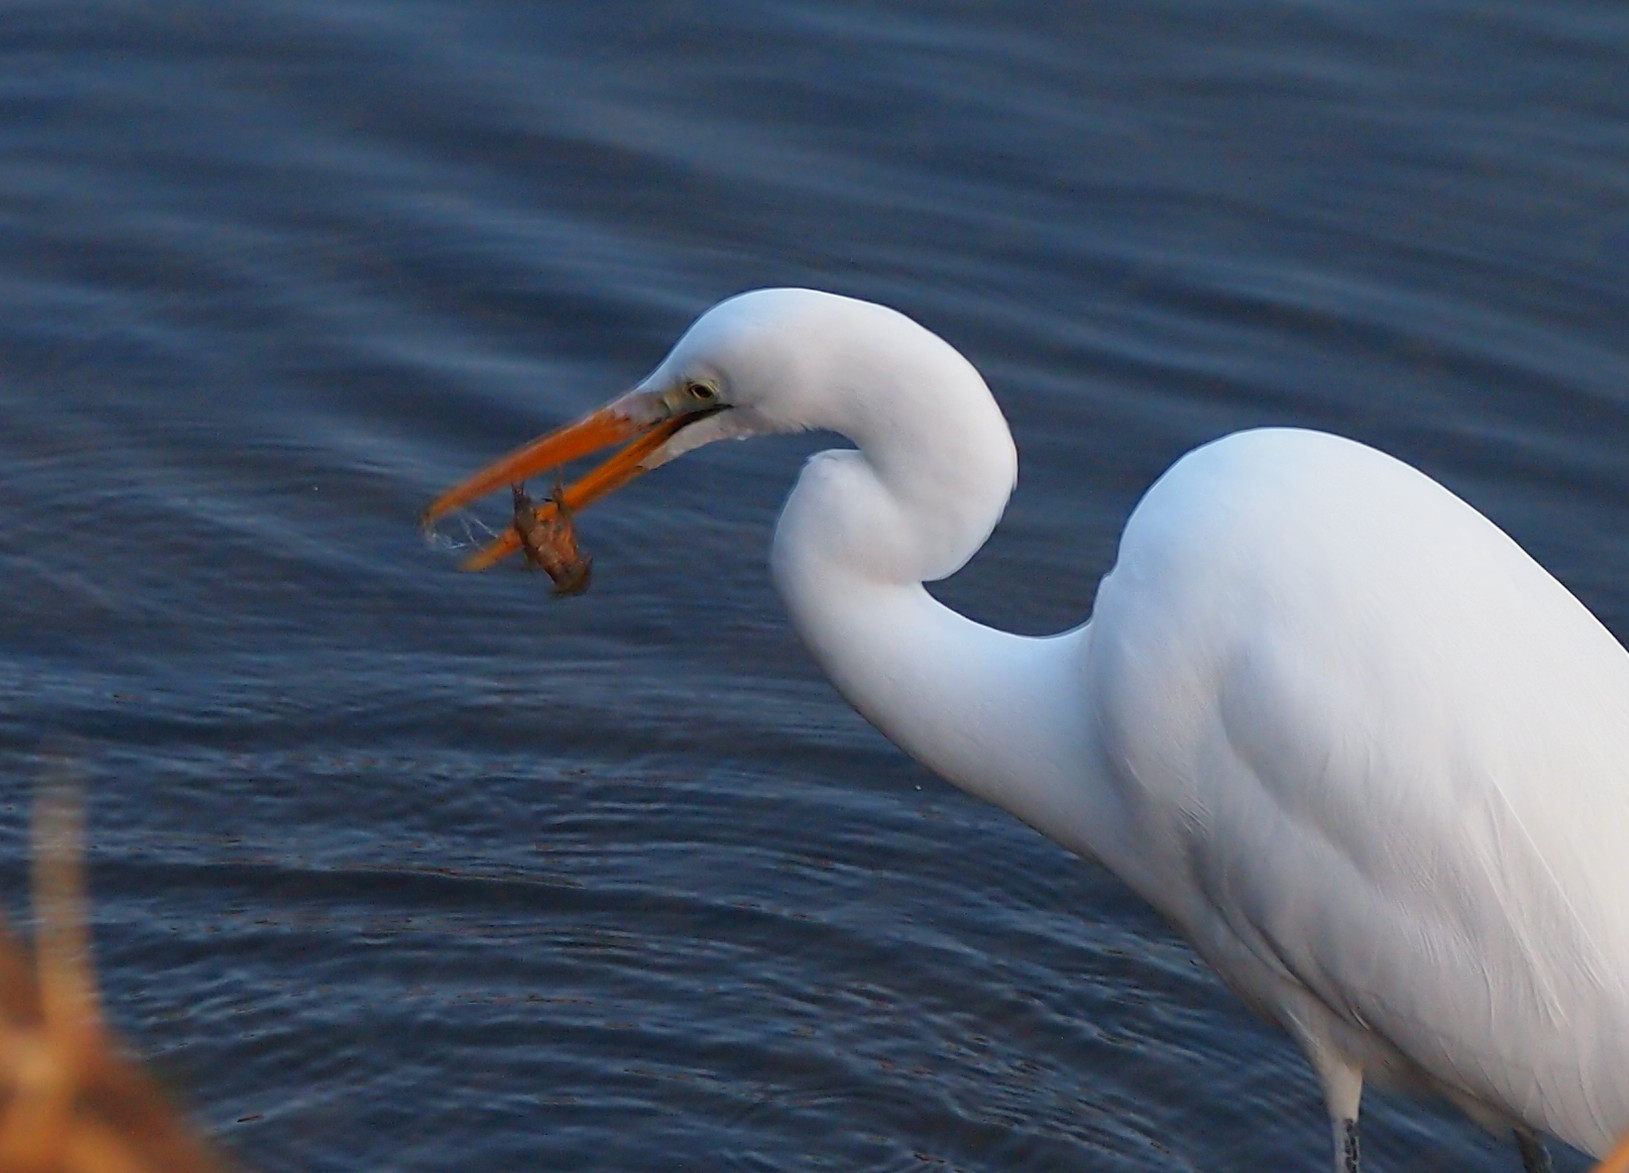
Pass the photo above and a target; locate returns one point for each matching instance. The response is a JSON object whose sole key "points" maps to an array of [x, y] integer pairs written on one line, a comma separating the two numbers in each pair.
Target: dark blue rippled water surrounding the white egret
{"points": [[402, 869]]}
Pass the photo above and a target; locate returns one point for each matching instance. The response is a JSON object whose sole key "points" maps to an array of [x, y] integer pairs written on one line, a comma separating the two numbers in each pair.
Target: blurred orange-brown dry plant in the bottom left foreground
{"points": [[69, 1101]]}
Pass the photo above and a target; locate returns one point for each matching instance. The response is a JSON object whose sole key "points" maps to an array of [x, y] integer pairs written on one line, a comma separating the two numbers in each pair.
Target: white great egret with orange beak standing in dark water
{"points": [[1328, 719]]}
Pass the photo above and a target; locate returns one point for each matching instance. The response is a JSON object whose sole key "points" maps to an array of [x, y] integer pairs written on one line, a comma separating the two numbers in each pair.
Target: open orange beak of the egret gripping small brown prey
{"points": [[641, 418]]}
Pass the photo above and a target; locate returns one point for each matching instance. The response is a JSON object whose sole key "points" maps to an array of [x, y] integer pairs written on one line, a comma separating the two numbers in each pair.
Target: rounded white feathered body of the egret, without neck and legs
{"points": [[1394, 775]]}
